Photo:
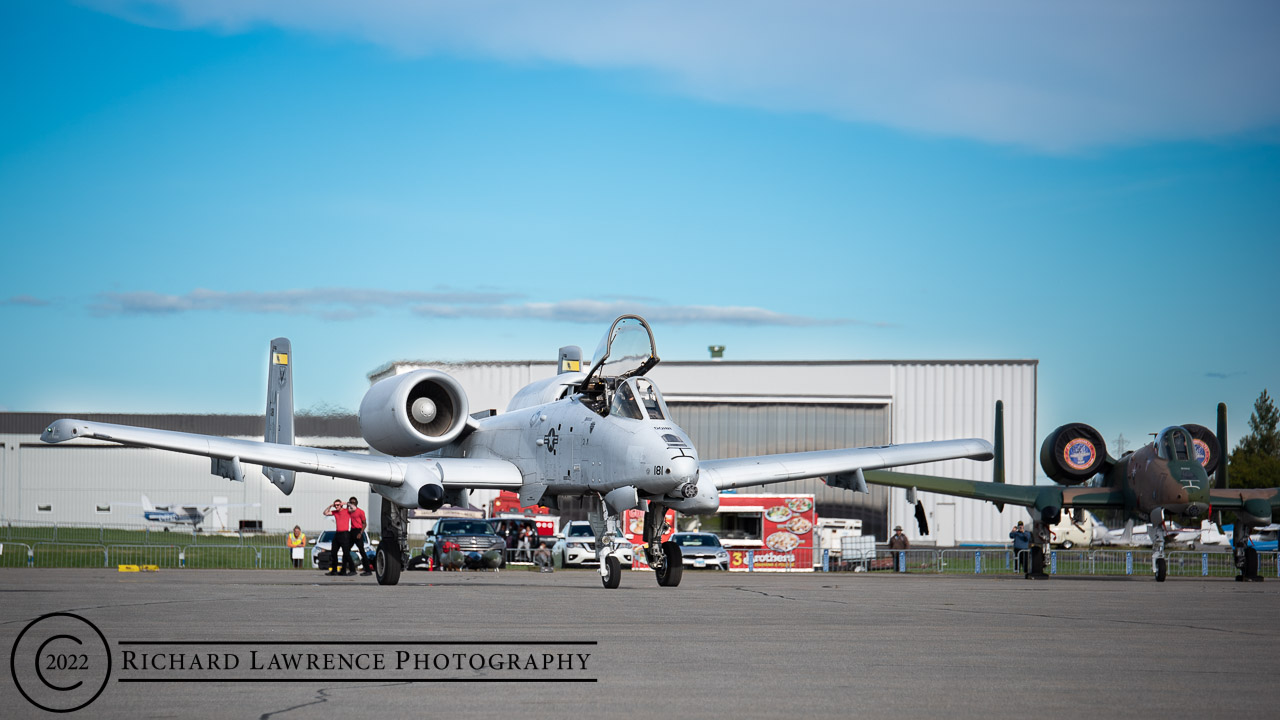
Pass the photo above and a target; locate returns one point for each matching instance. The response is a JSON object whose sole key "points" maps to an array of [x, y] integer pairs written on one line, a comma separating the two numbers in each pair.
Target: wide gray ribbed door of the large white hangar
{"points": [[743, 430]]}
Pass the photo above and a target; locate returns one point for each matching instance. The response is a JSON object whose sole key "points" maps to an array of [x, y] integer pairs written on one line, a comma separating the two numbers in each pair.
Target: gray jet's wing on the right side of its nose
{"points": [[766, 470]]}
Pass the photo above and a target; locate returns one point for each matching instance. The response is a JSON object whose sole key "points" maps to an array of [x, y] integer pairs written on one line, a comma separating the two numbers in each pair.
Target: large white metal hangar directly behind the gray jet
{"points": [[734, 409]]}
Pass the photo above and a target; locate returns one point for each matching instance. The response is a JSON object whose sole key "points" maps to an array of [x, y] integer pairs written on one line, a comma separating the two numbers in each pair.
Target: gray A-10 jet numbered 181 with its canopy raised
{"points": [[605, 435]]}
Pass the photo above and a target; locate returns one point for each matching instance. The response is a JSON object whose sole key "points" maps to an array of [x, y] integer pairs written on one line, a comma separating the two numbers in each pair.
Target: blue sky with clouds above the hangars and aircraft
{"points": [[1094, 188]]}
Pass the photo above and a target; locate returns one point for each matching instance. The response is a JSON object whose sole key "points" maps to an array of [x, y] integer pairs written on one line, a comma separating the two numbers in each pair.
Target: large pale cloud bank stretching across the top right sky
{"points": [[1052, 76]]}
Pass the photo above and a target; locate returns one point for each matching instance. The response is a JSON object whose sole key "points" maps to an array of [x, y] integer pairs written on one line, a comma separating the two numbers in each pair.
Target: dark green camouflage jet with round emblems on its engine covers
{"points": [[1167, 480]]}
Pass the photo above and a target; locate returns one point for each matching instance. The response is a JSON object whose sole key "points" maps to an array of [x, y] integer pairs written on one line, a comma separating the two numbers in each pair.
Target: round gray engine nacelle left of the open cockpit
{"points": [[414, 413]]}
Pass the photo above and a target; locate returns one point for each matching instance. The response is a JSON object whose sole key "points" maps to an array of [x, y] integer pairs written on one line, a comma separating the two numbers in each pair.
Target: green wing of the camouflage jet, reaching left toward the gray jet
{"points": [[1028, 496]]}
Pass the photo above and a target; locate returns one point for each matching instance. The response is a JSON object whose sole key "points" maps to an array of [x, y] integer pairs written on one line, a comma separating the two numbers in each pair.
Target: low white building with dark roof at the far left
{"points": [[90, 482]]}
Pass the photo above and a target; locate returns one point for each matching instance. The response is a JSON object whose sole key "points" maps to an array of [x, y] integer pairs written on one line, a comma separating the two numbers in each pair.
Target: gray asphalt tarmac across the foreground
{"points": [[719, 646]]}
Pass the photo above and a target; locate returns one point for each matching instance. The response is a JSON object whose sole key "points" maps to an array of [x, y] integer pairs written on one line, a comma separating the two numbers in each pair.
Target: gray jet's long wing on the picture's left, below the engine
{"points": [[376, 470]]}
